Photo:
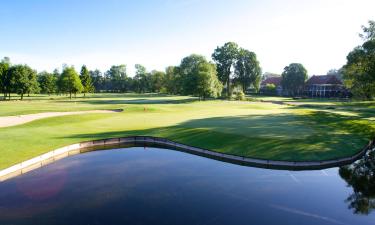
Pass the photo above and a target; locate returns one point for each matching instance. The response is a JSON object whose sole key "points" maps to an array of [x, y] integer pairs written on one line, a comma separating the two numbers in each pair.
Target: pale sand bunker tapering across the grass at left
{"points": [[8, 121]]}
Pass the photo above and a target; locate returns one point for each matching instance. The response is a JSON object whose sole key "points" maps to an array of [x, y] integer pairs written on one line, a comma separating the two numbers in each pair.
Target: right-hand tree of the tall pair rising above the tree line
{"points": [[247, 70]]}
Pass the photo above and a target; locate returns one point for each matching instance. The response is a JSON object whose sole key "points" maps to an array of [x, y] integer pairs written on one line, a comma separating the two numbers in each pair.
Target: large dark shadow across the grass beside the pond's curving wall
{"points": [[317, 136]]}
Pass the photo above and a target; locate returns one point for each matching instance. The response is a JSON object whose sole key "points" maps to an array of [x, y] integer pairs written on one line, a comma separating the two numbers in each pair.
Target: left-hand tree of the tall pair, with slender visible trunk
{"points": [[225, 58]]}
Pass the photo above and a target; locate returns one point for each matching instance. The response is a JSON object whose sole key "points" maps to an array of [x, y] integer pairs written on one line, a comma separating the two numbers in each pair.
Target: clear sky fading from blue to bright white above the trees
{"points": [[45, 34]]}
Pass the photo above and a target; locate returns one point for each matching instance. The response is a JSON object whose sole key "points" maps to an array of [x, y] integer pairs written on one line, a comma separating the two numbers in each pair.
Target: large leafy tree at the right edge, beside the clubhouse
{"points": [[359, 71]]}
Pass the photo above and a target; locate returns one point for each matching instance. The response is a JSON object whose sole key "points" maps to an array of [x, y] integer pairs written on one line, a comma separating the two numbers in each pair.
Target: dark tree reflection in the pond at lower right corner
{"points": [[361, 177]]}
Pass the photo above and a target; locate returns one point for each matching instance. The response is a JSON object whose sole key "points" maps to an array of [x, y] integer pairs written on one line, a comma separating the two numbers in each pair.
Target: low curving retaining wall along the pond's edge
{"points": [[74, 149]]}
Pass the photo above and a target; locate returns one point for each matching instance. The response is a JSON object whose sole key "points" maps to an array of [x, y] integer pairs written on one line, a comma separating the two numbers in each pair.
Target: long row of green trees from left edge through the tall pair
{"points": [[195, 76]]}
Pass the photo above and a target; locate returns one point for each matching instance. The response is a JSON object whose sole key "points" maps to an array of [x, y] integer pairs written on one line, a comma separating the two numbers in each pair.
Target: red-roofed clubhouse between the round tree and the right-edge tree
{"points": [[325, 86]]}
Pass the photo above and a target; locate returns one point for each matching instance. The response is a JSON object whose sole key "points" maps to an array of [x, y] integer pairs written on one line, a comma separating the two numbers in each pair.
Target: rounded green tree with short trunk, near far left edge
{"points": [[22, 79]]}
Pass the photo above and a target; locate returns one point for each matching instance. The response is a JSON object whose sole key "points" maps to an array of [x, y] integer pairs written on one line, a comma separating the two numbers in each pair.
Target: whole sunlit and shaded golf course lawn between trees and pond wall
{"points": [[304, 132]]}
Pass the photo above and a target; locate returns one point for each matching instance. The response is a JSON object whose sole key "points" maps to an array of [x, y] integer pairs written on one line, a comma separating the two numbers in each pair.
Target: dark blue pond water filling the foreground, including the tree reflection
{"points": [[158, 186]]}
